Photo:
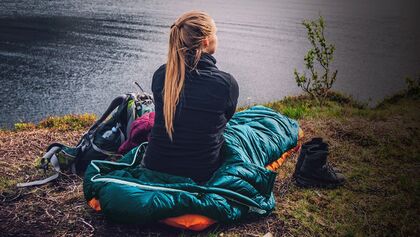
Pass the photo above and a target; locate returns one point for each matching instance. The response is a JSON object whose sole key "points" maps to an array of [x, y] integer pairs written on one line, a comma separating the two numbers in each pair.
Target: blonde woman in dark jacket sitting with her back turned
{"points": [[193, 100]]}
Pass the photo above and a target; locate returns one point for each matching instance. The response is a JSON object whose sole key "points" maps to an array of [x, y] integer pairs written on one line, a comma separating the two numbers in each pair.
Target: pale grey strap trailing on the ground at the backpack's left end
{"points": [[48, 157]]}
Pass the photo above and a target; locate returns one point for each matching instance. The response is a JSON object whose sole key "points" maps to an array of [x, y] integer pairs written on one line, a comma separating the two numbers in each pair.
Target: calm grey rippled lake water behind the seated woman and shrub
{"points": [[60, 57]]}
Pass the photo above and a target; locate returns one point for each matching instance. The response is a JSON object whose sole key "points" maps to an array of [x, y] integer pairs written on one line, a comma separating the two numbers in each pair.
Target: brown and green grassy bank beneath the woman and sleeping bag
{"points": [[376, 149]]}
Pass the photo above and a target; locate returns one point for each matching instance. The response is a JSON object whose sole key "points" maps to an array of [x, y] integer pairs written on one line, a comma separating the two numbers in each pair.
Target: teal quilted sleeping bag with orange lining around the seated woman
{"points": [[240, 188]]}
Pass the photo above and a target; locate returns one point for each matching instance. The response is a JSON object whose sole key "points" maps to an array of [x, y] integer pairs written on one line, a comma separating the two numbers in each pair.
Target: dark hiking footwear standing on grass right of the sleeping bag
{"points": [[315, 172]]}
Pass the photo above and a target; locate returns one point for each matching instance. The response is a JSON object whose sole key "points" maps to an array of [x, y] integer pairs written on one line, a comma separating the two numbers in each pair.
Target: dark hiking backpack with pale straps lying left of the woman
{"points": [[100, 142]]}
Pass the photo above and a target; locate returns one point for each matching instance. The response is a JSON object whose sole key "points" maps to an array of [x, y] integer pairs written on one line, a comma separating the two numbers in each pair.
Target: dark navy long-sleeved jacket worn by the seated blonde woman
{"points": [[207, 102]]}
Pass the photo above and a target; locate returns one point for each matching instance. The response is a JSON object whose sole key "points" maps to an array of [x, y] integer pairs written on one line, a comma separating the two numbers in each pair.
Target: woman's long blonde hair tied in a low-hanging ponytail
{"points": [[186, 36]]}
